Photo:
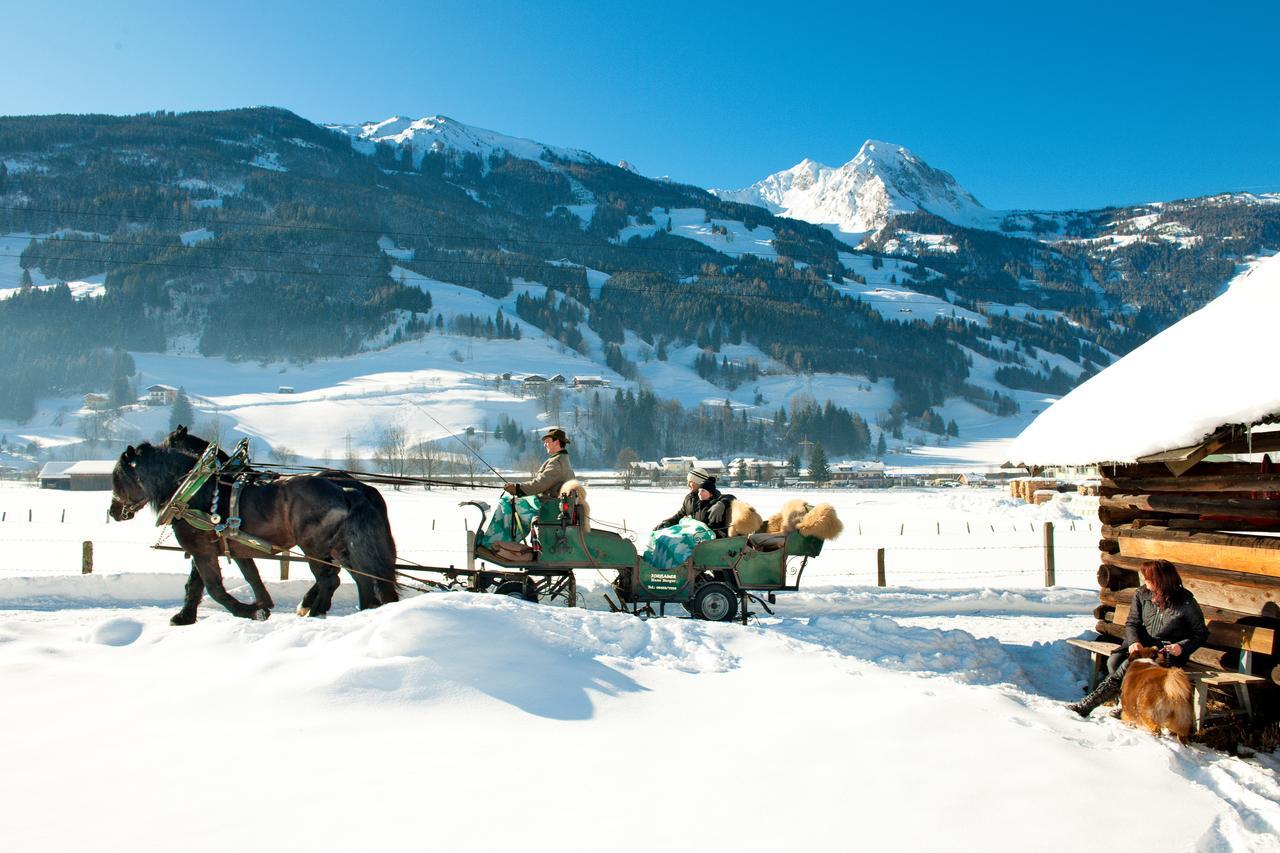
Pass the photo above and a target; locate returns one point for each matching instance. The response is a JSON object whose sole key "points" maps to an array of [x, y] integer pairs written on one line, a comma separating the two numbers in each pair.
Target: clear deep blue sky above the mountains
{"points": [[1068, 106]]}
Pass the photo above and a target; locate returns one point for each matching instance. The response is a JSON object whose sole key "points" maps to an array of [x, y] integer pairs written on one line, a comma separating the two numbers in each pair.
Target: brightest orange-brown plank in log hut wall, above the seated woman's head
{"points": [[1251, 555]]}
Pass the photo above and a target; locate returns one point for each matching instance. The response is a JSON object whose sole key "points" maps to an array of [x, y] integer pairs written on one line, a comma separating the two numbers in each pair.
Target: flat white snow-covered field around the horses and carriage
{"points": [[925, 715]]}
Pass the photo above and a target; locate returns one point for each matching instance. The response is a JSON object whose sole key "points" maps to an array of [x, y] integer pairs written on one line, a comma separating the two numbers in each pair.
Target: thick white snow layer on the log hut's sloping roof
{"points": [[1213, 368]]}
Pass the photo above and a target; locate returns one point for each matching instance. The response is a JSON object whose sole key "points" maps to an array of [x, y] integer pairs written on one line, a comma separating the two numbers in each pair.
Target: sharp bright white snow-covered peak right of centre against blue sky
{"points": [[861, 197]]}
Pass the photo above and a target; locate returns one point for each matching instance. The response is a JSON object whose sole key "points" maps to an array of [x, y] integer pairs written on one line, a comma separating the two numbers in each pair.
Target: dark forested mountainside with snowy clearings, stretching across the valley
{"points": [[257, 235]]}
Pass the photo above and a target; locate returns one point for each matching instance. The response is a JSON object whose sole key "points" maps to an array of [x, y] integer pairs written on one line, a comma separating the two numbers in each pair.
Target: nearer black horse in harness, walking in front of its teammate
{"points": [[330, 523]]}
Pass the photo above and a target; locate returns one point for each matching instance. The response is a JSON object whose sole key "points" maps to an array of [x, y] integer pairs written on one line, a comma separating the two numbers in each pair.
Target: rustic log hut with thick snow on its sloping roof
{"points": [[1186, 445]]}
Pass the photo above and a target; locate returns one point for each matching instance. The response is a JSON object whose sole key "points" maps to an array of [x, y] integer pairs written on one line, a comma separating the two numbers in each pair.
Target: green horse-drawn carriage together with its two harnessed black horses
{"points": [[716, 582]]}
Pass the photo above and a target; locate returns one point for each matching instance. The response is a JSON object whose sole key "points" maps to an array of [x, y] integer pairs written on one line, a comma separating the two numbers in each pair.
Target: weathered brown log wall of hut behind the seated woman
{"points": [[1219, 526]]}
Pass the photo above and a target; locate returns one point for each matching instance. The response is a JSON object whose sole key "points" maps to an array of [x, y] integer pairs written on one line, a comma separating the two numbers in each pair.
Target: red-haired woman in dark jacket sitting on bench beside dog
{"points": [[1164, 614]]}
